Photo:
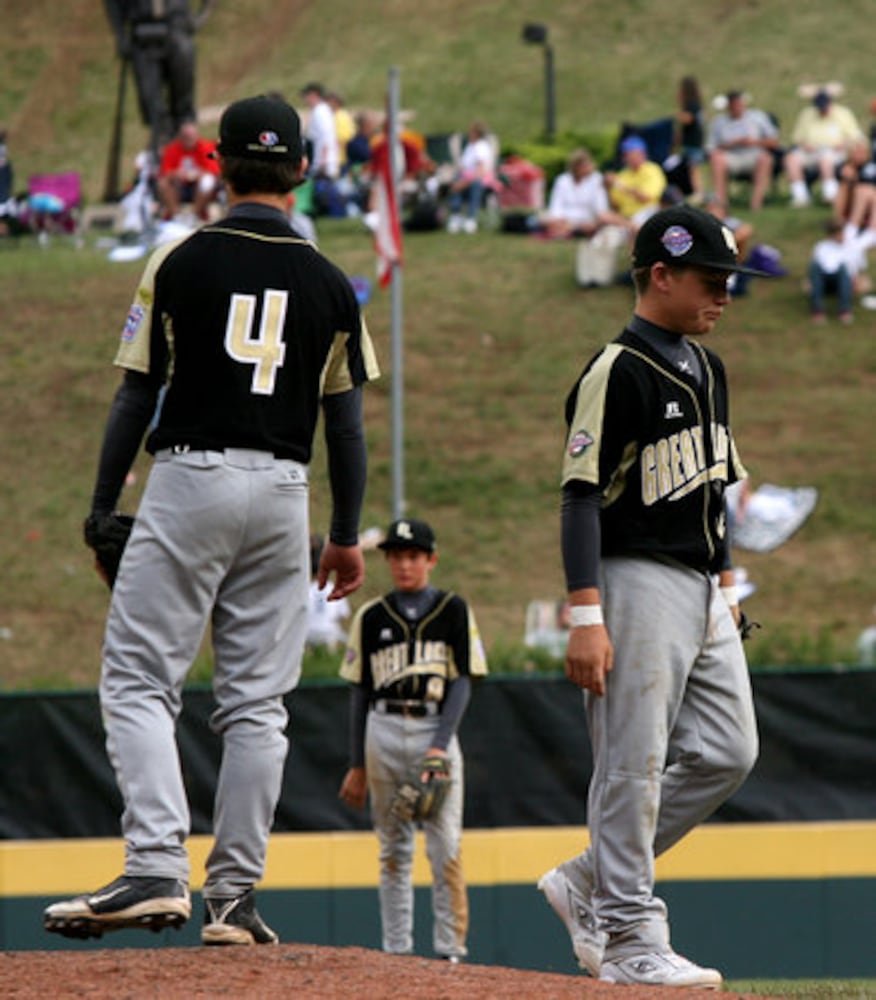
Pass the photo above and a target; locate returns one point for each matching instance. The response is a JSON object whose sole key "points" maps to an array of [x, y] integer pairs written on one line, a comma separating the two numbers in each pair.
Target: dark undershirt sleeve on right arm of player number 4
{"points": [[347, 462]]}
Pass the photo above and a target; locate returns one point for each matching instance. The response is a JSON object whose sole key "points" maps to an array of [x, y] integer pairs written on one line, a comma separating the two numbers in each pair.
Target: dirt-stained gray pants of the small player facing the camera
{"points": [[392, 745]]}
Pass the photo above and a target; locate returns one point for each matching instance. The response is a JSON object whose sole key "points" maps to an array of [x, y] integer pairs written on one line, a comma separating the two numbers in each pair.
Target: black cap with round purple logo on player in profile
{"points": [[688, 237]]}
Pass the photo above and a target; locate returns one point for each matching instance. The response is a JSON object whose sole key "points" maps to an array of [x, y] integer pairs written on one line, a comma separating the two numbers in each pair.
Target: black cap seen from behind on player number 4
{"points": [[261, 128]]}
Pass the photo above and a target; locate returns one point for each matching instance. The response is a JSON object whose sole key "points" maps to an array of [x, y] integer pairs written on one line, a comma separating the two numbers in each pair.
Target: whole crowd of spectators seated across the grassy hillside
{"points": [[719, 153]]}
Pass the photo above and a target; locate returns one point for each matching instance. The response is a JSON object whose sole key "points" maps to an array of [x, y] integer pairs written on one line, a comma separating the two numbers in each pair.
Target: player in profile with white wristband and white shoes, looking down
{"points": [[654, 641]]}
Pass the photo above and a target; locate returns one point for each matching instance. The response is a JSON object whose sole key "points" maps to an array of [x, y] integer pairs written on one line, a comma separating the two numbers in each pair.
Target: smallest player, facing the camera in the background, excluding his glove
{"points": [[411, 657]]}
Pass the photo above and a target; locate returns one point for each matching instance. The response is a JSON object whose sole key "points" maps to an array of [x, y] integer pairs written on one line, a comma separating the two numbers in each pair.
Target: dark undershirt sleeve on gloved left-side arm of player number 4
{"points": [[132, 409]]}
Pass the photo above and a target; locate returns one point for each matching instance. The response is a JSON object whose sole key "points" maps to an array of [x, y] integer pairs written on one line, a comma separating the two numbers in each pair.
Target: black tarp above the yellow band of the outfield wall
{"points": [[525, 743]]}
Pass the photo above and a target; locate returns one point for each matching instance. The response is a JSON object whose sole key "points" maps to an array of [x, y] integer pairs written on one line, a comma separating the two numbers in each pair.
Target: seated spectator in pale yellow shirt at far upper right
{"points": [[823, 135]]}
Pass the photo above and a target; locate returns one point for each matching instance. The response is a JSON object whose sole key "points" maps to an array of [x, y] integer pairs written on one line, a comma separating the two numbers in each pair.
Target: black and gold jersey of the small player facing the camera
{"points": [[392, 657]]}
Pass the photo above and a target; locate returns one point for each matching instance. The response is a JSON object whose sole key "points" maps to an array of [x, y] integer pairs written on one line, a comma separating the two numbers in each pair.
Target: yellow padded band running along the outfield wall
{"points": [[515, 856]]}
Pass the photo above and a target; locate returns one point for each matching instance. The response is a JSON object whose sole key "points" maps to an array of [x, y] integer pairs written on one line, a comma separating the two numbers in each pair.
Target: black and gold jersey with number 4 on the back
{"points": [[249, 338]]}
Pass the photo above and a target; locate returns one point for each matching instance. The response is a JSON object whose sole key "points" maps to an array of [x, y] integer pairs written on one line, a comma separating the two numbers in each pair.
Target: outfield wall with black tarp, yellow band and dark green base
{"points": [[780, 884]]}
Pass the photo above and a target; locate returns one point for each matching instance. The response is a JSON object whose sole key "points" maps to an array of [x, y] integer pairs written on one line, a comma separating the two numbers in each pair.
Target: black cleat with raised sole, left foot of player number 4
{"points": [[131, 901]]}
